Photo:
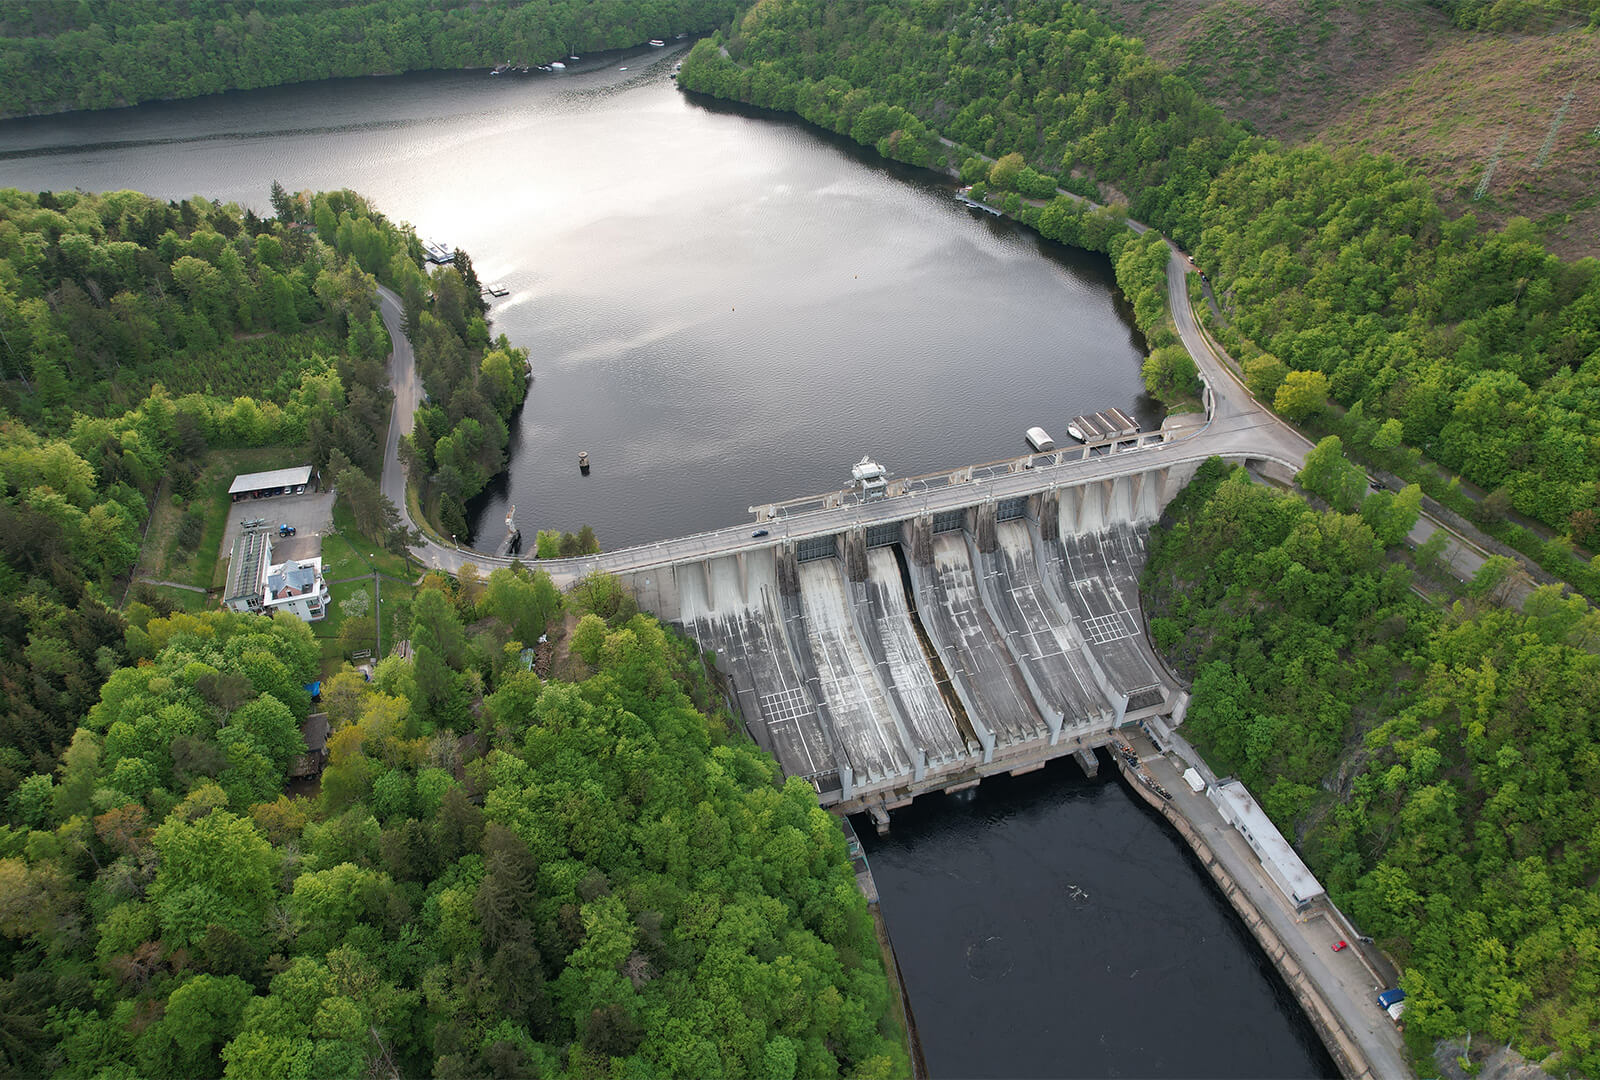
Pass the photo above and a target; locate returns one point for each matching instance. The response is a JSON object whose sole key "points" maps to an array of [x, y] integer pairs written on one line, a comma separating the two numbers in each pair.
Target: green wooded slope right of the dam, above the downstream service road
{"points": [[1436, 766]]}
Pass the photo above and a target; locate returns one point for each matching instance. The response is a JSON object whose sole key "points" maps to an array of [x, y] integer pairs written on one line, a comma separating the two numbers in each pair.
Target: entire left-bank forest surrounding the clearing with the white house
{"points": [[498, 873]]}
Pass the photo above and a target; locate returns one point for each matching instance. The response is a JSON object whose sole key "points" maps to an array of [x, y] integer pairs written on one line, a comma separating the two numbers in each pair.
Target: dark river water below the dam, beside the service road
{"points": [[1054, 927]]}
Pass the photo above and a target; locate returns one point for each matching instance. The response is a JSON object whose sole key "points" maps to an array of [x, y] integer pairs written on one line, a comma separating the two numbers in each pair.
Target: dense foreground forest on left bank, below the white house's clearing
{"points": [[498, 874]]}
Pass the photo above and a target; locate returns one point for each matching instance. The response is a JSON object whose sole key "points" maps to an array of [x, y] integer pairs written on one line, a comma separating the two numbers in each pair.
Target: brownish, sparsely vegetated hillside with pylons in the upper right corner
{"points": [[1396, 78]]}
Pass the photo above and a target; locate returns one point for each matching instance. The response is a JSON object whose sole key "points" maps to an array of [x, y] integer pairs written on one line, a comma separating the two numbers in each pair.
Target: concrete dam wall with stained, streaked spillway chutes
{"points": [[930, 650]]}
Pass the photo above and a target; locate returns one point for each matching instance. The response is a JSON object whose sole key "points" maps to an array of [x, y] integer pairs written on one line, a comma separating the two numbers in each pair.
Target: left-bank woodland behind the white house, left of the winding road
{"points": [[137, 337]]}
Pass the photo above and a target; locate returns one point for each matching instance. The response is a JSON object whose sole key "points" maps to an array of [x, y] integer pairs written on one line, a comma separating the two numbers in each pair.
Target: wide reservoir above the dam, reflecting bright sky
{"points": [[721, 308]]}
